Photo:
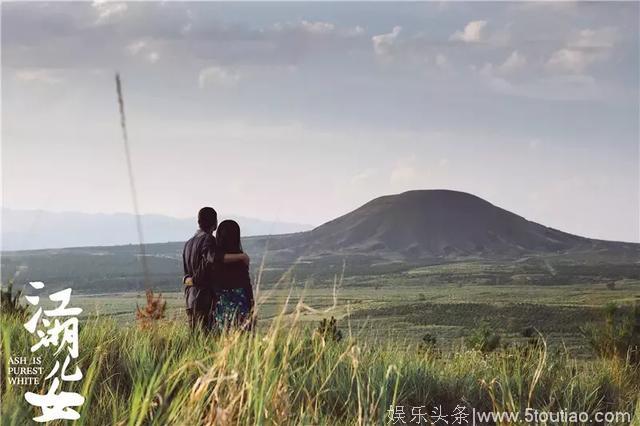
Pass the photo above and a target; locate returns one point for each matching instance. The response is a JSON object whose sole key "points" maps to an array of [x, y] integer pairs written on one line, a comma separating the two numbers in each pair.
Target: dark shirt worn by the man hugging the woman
{"points": [[200, 259]]}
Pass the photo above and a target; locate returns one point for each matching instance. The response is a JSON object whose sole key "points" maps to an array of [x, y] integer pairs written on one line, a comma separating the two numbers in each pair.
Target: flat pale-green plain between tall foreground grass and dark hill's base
{"points": [[393, 307]]}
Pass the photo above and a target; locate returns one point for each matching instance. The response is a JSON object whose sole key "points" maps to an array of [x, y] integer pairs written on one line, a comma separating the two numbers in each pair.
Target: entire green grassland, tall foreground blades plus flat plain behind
{"points": [[288, 374]]}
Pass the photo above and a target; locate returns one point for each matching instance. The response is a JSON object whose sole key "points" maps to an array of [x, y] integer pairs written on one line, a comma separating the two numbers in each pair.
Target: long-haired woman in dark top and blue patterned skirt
{"points": [[233, 305]]}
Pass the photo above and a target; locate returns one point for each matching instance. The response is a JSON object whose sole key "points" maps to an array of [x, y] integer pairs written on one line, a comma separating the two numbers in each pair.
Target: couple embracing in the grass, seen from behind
{"points": [[217, 284]]}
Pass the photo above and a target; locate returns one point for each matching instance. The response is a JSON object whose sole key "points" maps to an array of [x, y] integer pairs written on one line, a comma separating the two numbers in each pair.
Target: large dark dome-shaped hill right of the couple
{"points": [[434, 223]]}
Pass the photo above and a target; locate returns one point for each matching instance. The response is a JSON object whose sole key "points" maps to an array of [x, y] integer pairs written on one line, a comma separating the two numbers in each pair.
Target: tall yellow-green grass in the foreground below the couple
{"points": [[290, 375]]}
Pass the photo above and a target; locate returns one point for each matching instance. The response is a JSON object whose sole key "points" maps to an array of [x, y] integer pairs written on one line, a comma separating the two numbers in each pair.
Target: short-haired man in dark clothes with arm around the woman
{"points": [[200, 260]]}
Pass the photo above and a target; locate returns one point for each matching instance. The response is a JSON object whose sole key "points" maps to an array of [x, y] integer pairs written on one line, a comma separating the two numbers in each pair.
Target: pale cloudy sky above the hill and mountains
{"points": [[301, 112]]}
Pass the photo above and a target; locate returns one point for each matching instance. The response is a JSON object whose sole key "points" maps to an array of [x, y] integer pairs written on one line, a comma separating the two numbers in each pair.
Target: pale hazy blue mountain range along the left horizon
{"points": [[38, 229]]}
